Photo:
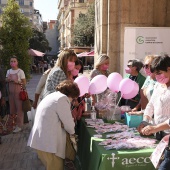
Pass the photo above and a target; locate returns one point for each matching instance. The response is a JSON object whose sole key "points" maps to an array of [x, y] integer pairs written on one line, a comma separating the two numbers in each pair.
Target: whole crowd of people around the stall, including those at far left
{"points": [[59, 107]]}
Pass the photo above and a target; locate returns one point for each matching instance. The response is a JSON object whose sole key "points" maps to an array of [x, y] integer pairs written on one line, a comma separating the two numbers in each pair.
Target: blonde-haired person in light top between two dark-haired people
{"points": [[147, 88]]}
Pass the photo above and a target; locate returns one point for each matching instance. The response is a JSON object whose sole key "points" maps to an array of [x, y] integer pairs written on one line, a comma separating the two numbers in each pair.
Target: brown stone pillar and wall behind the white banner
{"points": [[112, 16]]}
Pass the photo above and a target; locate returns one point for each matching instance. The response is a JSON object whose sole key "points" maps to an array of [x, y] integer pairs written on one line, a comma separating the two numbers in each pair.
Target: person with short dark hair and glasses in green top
{"points": [[132, 70]]}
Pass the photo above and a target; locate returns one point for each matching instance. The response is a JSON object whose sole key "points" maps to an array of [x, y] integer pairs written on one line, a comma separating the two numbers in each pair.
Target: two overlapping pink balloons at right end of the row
{"points": [[128, 88]]}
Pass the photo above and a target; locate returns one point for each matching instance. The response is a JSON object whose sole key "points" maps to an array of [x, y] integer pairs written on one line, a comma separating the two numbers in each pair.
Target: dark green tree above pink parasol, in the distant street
{"points": [[39, 42]]}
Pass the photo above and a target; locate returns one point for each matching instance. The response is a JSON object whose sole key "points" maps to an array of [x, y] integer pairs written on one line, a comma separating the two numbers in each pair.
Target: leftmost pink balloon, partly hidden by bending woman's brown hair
{"points": [[83, 84]]}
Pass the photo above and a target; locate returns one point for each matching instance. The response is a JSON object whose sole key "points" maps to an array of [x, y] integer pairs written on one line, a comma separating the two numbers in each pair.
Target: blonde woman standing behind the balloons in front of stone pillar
{"points": [[101, 68]]}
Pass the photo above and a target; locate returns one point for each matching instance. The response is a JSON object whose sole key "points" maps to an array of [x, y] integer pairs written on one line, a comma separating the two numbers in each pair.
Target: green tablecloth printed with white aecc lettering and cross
{"points": [[94, 157]]}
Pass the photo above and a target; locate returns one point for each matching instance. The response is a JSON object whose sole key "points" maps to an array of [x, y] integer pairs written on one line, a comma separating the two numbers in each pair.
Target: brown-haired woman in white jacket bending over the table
{"points": [[52, 120]]}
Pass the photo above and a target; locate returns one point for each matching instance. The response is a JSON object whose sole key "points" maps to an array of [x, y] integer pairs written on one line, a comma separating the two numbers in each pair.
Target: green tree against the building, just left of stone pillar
{"points": [[83, 31]]}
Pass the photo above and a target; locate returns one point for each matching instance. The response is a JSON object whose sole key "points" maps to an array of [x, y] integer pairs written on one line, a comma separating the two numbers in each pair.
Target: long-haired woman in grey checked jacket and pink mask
{"points": [[61, 71]]}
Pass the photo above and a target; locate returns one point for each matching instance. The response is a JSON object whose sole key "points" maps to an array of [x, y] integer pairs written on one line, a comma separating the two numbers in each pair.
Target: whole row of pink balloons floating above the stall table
{"points": [[114, 82]]}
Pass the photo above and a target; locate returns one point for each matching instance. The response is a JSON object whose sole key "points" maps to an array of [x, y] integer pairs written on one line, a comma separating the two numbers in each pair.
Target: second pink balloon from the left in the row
{"points": [[98, 84]]}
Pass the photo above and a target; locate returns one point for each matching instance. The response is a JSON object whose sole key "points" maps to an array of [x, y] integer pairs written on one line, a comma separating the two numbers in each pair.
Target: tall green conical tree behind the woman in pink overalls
{"points": [[14, 36]]}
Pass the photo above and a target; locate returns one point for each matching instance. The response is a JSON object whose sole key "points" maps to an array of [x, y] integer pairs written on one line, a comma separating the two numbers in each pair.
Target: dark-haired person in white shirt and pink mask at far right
{"points": [[159, 104]]}
